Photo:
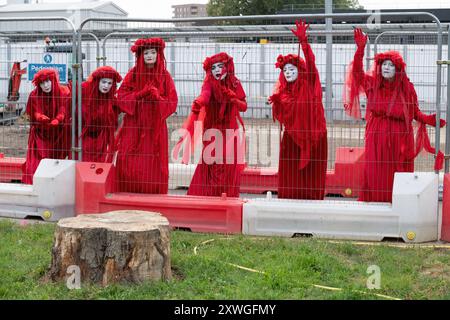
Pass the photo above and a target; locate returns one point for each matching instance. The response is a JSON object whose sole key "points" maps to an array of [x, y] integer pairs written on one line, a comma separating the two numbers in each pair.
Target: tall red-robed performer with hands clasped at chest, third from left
{"points": [[148, 97]]}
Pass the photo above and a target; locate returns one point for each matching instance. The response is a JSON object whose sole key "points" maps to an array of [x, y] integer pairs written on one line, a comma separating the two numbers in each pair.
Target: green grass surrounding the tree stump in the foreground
{"points": [[290, 269]]}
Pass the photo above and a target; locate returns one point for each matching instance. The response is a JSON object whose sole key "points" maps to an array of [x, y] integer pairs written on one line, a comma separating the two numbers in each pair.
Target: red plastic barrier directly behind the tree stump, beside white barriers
{"points": [[94, 194]]}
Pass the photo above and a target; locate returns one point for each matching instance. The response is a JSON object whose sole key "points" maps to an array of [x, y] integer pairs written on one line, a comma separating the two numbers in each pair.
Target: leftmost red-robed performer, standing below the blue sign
{"points": [[47, 108]]}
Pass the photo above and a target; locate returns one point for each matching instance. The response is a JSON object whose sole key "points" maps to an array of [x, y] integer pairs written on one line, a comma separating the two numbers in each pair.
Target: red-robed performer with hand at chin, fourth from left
{"points": [[217, 107]]}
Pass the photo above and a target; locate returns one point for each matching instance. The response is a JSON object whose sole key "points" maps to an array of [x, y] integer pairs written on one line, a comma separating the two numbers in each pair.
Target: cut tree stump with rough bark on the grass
{"points": [[119, 246]]}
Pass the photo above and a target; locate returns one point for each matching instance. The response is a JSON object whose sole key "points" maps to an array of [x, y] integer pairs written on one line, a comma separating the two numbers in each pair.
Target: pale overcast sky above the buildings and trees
{"points": [[163, 8]]}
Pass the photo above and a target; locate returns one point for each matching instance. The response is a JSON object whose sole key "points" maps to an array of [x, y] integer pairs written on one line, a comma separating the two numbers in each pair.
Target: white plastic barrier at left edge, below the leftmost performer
{"points": [[51, 197]]}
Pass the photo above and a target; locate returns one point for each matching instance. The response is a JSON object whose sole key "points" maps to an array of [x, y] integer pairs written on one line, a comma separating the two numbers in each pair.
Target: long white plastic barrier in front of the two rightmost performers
{"points": [[412, 215]]}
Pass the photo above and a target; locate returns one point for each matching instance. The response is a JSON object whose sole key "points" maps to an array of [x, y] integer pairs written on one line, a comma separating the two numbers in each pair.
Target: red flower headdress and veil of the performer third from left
{"points": [[143, 74]]}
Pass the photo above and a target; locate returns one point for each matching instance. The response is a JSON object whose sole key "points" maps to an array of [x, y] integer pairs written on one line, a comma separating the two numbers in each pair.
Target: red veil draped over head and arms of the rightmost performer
{"points": [[373, 79]]}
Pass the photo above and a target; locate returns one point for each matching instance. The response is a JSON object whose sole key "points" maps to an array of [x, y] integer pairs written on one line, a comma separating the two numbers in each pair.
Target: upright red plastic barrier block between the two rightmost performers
{"points": [[346, 179]]}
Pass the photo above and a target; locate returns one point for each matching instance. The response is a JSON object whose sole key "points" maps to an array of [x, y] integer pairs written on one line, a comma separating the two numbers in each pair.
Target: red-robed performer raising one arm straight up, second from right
{"points": [[297, 105]]}
